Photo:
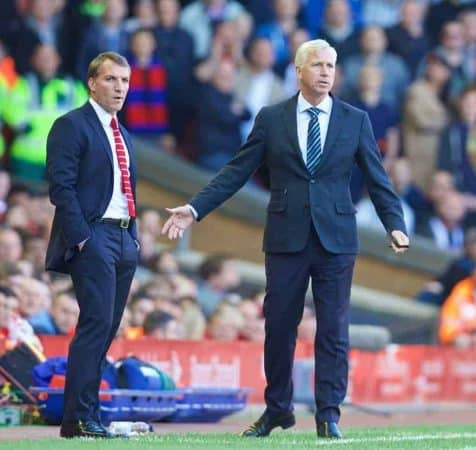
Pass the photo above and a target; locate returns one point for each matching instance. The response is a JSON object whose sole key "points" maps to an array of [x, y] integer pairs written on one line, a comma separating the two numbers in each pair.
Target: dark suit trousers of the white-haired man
{"points": [[287, 276]]}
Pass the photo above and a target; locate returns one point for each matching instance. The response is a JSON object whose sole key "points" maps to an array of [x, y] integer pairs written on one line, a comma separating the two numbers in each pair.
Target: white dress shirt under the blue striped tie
{"points": [[303, 118]]}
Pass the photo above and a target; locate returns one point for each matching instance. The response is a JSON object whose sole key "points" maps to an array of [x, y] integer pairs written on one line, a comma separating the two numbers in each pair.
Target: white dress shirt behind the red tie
{"points": [[117, 208]]}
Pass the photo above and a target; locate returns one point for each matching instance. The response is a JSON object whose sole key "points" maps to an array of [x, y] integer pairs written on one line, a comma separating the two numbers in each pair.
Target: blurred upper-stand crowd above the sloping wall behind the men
{"points": [[202, 69]]}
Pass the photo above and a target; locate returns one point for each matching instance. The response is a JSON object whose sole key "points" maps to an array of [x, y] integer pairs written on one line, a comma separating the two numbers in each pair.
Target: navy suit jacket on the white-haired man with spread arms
{"points": [[299, 200]]}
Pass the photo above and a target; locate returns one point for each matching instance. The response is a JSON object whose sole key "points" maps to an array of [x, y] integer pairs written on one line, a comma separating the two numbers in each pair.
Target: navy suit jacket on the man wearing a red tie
{"points": [[80, 173]]}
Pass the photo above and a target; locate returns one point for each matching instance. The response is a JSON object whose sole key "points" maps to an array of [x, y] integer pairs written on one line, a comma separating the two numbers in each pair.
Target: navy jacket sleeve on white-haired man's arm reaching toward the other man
{"points": [[235, 173]]}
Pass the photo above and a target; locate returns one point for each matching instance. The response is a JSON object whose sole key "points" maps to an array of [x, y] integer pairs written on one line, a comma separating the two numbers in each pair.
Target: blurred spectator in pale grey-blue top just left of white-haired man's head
{"points": [[256, 85]]}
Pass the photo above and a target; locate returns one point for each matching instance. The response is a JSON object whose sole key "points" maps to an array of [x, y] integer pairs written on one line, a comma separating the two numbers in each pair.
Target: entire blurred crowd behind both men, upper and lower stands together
{"points": [[201, 70]]}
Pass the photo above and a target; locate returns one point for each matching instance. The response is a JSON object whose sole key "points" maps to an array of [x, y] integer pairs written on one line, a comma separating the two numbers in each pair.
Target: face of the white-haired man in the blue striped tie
{"points": [[317, 73]]}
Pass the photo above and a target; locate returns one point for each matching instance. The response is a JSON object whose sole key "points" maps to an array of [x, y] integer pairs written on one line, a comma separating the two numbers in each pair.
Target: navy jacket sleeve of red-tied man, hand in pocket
{"points": [[63, 155]]}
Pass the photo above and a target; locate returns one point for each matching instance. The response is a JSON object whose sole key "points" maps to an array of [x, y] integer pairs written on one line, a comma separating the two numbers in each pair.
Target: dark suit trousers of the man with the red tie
{"points": [[102, 274]]}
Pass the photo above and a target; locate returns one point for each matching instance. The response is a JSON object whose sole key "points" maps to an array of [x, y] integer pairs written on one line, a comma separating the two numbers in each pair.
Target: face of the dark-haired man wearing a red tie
{"points": [[109, 88]]}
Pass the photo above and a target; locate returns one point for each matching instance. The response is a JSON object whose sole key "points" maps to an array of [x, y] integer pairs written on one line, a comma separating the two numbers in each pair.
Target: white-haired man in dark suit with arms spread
{"points": [[309, 144]]}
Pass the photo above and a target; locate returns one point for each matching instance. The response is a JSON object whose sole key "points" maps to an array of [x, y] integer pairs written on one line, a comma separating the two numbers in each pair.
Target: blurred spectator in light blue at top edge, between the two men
{"points": [[200, 17]]}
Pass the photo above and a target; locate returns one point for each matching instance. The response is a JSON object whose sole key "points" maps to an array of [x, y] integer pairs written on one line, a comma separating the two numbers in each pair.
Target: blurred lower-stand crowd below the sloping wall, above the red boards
{"points": [[164, 302]]}
